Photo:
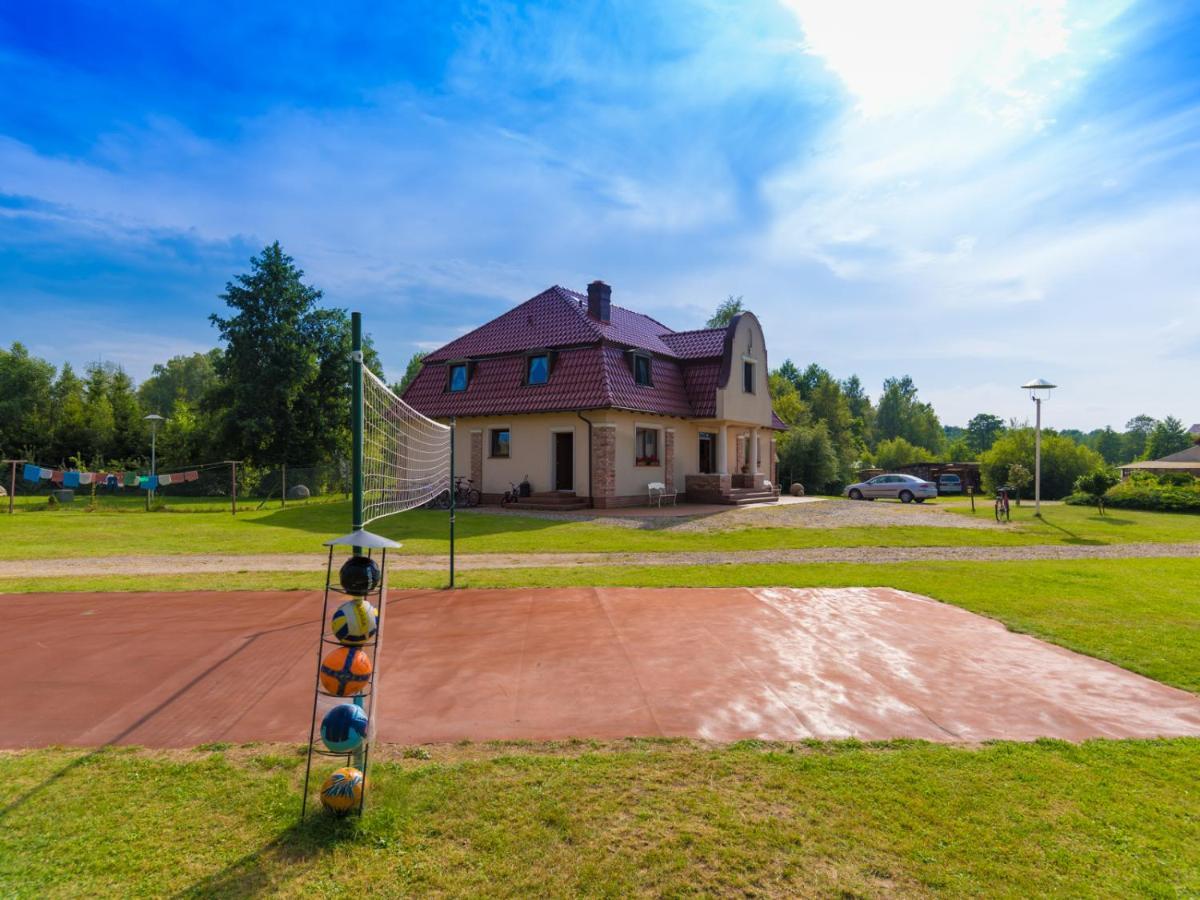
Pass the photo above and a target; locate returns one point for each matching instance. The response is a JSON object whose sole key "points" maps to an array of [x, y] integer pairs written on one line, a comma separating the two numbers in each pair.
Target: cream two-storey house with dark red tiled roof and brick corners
{"points": [[595, 403]]}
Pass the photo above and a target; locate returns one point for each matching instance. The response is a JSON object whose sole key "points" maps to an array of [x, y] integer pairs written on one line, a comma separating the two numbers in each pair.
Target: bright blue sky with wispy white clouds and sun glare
{"points": [[974, 194]]}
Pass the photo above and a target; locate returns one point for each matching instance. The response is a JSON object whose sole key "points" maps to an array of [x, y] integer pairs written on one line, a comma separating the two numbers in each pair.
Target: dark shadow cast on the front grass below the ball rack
{"points": [[271, 867]]}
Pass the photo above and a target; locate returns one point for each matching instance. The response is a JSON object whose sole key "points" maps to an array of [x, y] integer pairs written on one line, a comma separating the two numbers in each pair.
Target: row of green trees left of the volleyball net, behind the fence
{"points": [[277, 391]]}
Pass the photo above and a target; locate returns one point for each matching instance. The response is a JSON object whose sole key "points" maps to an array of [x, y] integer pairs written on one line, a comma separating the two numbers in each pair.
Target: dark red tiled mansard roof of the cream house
{"points": [[592, 365]]}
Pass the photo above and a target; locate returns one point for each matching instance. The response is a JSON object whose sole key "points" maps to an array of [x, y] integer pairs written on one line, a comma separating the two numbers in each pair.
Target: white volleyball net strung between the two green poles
{"points": [[406, 457]]}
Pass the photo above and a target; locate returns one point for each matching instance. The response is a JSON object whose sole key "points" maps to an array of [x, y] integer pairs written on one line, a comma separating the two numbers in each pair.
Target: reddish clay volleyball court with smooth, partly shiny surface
{"points": [[178, 670]]}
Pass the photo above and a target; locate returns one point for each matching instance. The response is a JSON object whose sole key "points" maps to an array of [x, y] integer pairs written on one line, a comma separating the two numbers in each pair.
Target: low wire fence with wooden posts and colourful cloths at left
{"points": [[226, 487]]}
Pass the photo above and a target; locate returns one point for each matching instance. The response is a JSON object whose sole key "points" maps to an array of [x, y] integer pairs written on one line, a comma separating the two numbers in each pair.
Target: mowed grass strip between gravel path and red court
{"points": [[1143, 615]]}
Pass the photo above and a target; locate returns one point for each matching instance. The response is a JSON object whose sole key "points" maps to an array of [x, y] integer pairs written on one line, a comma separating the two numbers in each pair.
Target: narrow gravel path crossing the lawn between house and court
{"points": [[316, 563]]}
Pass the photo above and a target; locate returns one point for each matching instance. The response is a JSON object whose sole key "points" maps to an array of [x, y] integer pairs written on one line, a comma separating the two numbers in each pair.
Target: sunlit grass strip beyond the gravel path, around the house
{"points": [[73, 532]]}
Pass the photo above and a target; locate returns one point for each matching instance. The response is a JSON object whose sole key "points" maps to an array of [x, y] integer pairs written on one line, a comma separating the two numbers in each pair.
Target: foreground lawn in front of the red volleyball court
{"points": [[1118, 819]]}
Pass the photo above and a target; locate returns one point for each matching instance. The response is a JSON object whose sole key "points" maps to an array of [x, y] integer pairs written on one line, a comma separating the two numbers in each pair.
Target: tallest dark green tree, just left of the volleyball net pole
{"points": [[284, 394]]}
